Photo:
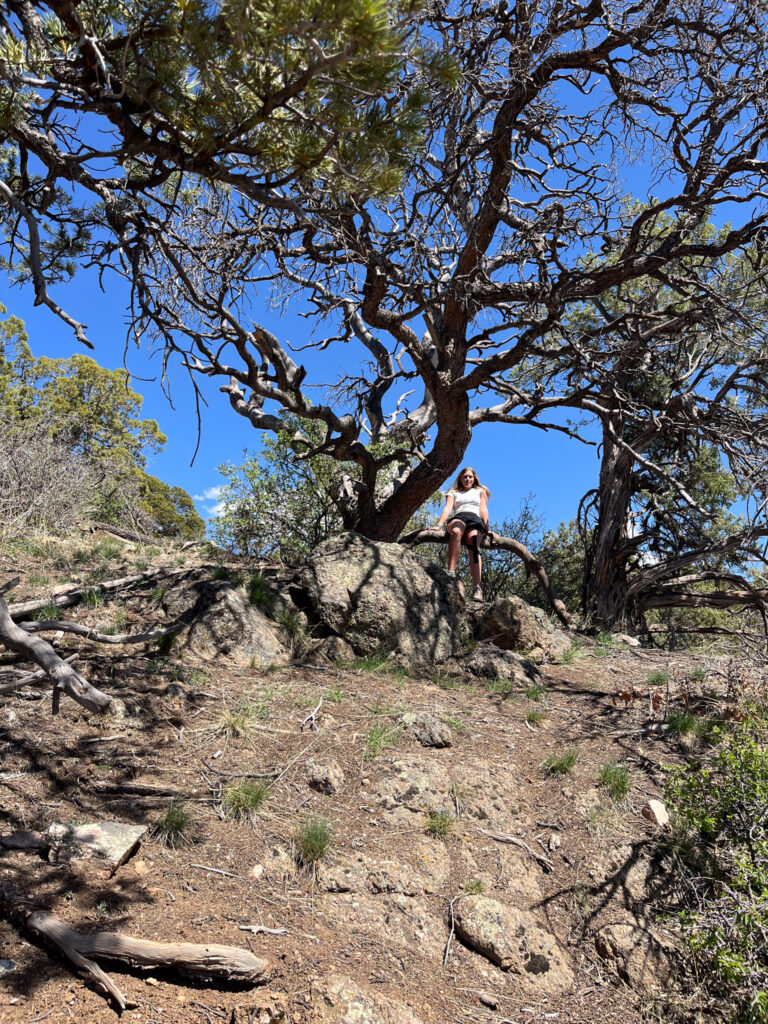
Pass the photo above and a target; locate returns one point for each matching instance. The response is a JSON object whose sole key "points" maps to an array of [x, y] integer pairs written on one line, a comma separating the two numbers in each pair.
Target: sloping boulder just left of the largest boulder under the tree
{"points": [[216, 618]]}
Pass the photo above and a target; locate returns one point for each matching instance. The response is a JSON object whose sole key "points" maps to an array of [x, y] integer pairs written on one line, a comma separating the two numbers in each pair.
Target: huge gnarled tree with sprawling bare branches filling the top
{"points": [[446, 277]]}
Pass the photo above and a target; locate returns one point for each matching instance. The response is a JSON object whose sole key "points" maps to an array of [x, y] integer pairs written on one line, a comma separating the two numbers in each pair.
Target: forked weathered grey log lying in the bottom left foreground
{"points": [[194, 960]]}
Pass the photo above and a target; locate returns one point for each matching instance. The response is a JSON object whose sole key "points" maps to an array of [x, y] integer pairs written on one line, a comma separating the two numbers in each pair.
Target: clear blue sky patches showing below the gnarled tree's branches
{"points": [[514, 461]]}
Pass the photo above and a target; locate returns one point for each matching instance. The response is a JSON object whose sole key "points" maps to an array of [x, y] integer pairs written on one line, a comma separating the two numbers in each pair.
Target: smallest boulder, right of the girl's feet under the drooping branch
{"points": [[513, 625]]}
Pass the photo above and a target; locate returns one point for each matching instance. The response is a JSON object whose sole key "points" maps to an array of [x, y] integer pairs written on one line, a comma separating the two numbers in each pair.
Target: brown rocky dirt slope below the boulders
{"points": [[197, 729]]}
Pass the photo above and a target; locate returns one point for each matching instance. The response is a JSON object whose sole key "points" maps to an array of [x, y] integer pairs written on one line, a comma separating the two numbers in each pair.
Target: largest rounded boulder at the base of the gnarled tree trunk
{"points": [[382, 600]]}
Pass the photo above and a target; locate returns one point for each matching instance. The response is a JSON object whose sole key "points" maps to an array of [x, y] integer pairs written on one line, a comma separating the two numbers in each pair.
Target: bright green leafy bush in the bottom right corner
{"points": [[718, 806]]}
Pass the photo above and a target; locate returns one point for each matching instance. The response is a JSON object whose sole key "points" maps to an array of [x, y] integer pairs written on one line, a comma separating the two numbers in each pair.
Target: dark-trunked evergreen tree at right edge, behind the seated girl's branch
{"points": [[679, 394]]}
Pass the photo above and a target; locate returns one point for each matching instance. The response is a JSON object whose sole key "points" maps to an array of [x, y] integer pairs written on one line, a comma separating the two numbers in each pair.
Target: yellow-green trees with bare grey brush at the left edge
{"points": [[79, 425]]}
